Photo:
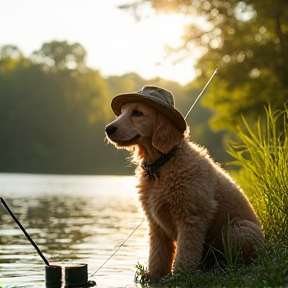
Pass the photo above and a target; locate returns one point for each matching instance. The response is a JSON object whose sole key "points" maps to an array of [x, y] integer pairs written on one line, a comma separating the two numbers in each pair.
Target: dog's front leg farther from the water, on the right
{"points": [[190, 240]]}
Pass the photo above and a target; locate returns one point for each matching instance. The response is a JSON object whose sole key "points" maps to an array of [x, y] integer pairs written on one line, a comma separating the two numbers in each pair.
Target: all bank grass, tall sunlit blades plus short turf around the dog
{"points": [[262, 154]]}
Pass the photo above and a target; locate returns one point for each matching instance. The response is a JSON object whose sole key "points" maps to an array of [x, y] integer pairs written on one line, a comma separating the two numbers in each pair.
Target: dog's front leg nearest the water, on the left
{"points": [[161, 254]]}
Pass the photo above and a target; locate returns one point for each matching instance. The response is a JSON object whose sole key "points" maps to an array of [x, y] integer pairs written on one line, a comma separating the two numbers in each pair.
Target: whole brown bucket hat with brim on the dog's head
{"points": [[156, 97]]}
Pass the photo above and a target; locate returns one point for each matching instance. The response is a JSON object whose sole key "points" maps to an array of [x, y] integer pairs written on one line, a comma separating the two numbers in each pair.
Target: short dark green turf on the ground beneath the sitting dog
{"points": [[270, 270]]}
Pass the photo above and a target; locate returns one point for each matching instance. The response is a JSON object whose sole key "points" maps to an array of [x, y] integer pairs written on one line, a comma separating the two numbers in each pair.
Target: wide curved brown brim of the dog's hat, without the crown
{"points": [[173, 114]]}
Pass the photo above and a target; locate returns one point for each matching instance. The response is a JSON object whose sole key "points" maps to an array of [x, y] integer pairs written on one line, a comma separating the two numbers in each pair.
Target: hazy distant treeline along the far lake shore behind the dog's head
{"points": [[53, 111]]}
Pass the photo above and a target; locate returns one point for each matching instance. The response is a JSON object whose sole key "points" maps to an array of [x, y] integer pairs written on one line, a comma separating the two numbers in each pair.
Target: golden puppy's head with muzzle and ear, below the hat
{"points": [[141, 125]]}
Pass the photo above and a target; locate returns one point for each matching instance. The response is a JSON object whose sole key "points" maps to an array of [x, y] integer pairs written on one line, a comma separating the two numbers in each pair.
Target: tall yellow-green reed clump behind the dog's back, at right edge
{"points": [[263, 150]]}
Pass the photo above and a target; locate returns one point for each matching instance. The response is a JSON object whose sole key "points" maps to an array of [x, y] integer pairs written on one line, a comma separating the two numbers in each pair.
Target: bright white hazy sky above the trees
{"points": [[115, 42]]}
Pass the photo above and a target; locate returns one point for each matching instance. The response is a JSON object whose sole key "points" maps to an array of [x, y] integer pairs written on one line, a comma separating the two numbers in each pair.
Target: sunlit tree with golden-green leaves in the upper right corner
{"points": [[248, 41]]}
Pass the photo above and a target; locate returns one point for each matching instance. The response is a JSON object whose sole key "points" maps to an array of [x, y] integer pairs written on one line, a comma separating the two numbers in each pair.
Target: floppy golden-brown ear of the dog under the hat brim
{"points": [[165, 134]]}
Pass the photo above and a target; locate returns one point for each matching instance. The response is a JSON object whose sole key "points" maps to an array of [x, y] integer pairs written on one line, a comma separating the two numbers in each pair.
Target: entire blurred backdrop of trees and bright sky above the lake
{"points": [[61, 63]]}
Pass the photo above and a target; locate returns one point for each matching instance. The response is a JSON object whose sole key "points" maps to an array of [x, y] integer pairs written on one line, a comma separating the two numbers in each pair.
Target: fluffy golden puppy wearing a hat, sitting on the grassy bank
{"points": [[191, 204]]}
